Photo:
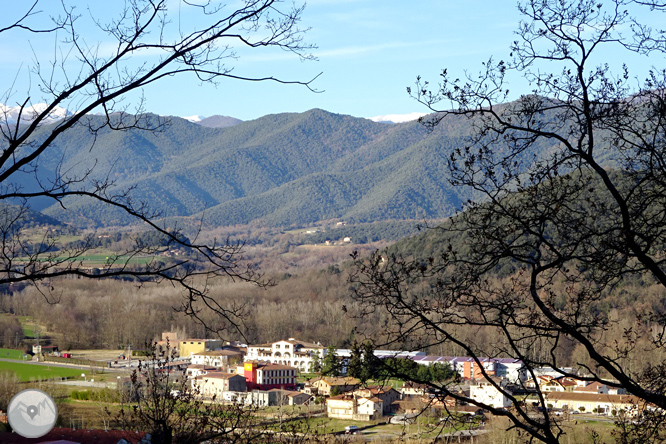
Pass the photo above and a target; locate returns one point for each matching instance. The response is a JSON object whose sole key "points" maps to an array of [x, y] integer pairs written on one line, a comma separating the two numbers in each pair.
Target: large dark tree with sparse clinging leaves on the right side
{"points": [[573, 222]]}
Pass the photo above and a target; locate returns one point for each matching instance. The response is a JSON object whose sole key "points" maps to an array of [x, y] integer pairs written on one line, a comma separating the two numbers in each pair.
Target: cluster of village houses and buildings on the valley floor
{"points": [[265, 375]]}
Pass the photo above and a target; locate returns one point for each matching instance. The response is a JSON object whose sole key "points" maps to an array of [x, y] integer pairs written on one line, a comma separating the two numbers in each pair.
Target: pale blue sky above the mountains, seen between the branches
{"points": [[368, 52]]}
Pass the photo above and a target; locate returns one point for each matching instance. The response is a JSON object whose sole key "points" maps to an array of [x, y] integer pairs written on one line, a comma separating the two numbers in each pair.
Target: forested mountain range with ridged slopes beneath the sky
{"points": [[283, 170]]}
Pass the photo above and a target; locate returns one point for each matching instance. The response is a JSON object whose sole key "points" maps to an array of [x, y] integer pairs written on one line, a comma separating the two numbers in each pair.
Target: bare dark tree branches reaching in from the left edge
{"points": [[143, 43]]}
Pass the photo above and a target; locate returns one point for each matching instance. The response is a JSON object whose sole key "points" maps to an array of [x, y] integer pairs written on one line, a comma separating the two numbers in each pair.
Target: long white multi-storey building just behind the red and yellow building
{"points": [[291, 352]]}
